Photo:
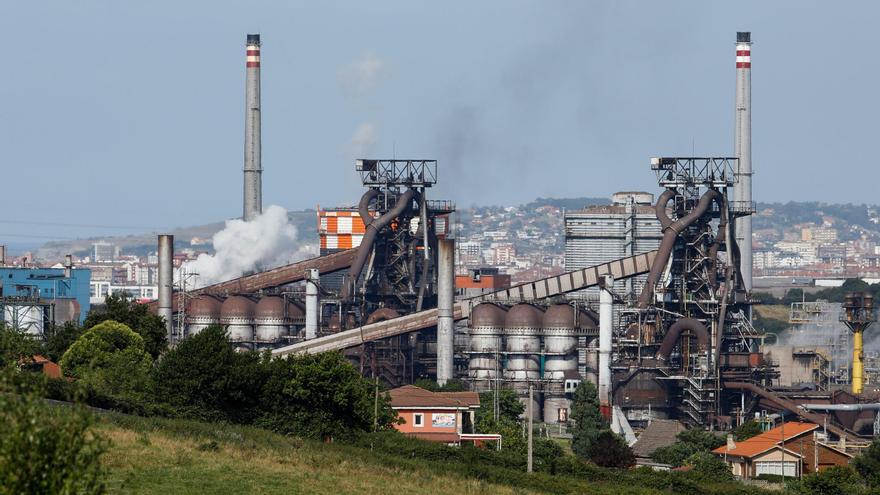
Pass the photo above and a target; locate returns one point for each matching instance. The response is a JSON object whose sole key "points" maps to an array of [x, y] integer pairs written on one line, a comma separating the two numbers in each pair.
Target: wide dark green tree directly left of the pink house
{"points": [[320, 396]]}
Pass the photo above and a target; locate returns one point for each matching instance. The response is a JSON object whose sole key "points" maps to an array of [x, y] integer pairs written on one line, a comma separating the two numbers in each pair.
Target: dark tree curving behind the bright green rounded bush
{"points": [[123, 309]]}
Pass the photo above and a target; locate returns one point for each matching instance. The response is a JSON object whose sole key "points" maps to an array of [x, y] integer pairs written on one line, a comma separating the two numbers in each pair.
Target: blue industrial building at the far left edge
{"points": [[65, 291]]}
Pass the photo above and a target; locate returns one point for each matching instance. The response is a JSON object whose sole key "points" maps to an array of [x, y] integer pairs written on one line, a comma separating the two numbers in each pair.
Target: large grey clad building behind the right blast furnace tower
{"points": [[600, 234]]}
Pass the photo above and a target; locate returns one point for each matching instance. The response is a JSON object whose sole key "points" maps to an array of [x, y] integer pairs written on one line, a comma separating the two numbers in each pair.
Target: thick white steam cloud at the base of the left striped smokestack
{"points": [[266, 242]]}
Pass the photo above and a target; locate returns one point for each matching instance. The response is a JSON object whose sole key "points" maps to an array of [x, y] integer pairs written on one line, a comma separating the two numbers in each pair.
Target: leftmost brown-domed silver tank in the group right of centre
{"points": [[485, 330]]}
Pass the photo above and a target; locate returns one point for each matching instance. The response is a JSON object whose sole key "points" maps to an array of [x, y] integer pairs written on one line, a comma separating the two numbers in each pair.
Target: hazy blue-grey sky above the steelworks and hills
{"points": [[131, 113]]}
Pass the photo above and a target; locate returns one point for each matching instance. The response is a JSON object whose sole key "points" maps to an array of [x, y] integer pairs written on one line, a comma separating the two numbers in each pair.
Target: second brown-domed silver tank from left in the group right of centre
{"points": [[522, 335]]}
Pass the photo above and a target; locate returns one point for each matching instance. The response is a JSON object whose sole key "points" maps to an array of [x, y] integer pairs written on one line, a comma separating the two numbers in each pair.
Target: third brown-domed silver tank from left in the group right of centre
{"points": [[560, 342]]}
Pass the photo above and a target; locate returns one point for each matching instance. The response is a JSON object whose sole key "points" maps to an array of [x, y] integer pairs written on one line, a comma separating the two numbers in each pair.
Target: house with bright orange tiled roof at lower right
{"points": [[791, 449]]}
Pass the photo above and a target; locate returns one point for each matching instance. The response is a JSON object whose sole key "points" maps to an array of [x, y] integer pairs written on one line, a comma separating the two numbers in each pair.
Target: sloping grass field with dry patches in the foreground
{"points": [[162, 456]]}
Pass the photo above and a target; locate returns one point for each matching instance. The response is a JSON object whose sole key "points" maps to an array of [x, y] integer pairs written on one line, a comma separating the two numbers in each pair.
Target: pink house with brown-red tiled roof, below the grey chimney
{"points": [[446, 417]]}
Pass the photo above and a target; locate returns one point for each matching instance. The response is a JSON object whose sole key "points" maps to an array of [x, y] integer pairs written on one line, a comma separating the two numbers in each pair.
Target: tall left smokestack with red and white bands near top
{"points": [[253, 167]]}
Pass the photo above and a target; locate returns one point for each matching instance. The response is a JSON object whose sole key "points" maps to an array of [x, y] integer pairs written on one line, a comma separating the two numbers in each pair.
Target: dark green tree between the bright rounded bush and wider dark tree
{"points": [[203, 377]]}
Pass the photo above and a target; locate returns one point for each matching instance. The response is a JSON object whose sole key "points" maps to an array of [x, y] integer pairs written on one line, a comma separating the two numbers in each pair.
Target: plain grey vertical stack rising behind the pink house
{"points": [[445, 302]]}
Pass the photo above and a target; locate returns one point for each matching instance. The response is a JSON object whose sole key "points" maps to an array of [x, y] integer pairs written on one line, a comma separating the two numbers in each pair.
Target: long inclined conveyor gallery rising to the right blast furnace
{"points": [[539, 289]]}
